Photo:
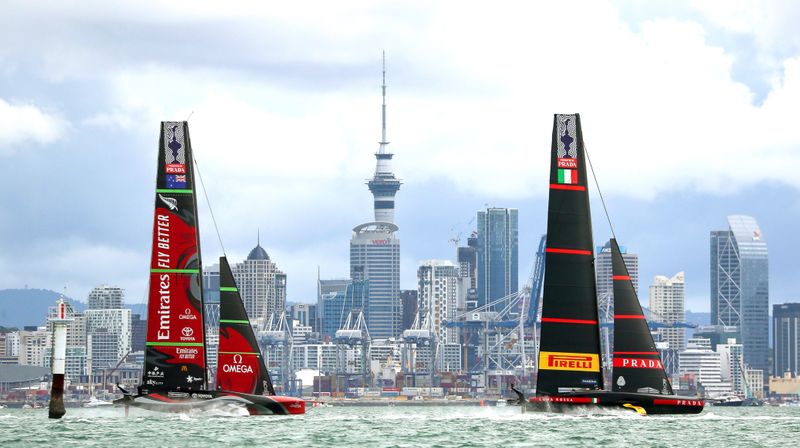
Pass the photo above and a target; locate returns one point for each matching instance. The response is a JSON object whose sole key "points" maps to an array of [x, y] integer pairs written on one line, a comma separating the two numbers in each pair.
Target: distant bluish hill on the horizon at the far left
{"points": [[23, 307]]}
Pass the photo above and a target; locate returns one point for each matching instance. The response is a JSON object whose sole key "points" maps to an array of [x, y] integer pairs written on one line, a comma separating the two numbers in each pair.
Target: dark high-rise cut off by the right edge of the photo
{"points": [[786, 339]]}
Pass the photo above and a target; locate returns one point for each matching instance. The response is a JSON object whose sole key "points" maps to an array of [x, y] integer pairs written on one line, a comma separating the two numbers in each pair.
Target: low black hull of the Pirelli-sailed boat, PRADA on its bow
{"points": [[600, 401]]}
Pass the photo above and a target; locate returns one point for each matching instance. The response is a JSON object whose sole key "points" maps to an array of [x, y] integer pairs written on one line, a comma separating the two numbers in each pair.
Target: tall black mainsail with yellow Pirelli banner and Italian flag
{"points": [[569, 355]]}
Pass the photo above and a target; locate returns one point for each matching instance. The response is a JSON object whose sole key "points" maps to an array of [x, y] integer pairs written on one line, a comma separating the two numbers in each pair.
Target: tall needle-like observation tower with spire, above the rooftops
{"points": [[384, 185]]}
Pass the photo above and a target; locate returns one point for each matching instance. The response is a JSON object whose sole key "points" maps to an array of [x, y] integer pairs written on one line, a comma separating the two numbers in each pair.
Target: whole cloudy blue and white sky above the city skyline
{"points": [[688, 108]]}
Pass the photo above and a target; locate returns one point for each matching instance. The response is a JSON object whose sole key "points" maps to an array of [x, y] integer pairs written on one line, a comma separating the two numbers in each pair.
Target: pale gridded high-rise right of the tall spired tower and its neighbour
{"points": [[437, 280]]}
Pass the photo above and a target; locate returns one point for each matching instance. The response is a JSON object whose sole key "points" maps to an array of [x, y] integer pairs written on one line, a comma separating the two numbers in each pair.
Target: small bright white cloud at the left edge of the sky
{"points": [[21, 123]]}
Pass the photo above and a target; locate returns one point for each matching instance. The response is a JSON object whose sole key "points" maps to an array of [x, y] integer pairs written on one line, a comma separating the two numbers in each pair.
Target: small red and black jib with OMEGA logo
{"points": [[240, 367]]}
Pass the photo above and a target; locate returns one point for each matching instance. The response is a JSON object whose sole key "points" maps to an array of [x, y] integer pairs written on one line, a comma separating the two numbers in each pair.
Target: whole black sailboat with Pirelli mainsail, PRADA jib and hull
{"points": [[570, 363]]}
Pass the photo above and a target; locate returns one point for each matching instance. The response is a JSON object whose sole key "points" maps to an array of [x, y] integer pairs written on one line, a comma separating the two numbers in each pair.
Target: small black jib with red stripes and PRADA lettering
{"points": [[637, 364]]}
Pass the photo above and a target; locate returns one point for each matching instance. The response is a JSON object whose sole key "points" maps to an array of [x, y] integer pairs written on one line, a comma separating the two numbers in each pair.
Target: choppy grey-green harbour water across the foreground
{"points": [[400, 427]]}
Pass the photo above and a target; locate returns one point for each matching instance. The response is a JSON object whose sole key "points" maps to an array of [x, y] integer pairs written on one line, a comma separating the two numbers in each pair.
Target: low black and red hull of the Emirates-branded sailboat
{"points": [[177, 402]]}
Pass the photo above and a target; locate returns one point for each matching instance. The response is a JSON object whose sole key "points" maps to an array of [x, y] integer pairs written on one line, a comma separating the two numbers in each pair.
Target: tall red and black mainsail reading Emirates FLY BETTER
{"points": [[175, 356]]}
